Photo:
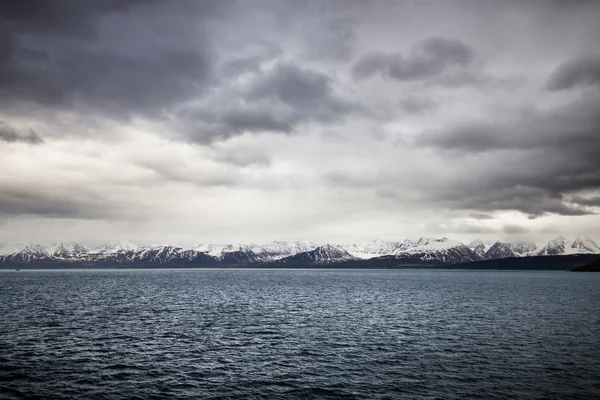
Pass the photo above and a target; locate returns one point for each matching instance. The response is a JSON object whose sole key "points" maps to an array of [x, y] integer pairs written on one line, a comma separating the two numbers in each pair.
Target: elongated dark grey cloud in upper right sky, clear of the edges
{"points": [[429, 59]]}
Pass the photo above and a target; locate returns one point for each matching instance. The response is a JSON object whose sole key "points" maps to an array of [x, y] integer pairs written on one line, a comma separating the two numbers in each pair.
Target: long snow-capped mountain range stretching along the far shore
{"points": [[425, 251]]}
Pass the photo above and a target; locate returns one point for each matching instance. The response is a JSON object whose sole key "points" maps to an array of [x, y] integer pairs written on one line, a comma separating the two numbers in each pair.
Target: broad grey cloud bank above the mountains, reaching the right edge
{"points": [[554, 154]]}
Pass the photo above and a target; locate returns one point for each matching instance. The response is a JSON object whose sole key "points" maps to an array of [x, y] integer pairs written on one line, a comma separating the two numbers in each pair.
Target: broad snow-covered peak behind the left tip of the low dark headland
{"points": [[443, 250]]}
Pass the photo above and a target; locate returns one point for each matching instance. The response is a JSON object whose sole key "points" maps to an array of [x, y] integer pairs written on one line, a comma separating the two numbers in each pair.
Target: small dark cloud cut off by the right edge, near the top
{"points": [[583, 71]]}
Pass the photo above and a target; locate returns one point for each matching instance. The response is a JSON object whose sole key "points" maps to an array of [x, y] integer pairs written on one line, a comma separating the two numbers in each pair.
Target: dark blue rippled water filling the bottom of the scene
{"points": [[299, 334]]}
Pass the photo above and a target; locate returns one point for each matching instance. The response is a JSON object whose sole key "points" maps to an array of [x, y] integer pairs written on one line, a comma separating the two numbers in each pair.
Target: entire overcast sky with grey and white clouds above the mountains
{"points": [[334, 121]]}
